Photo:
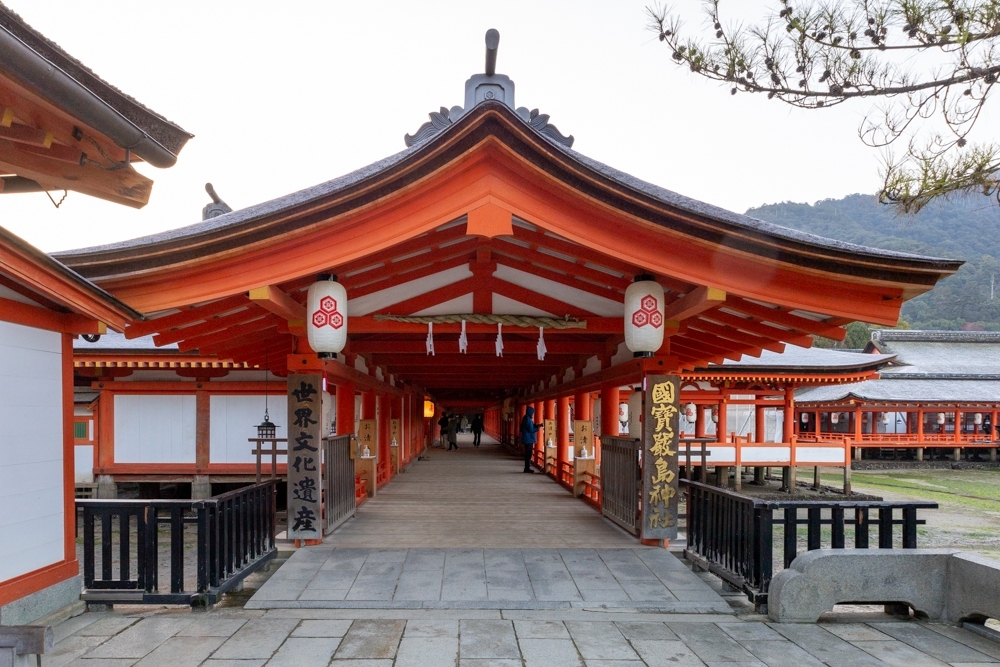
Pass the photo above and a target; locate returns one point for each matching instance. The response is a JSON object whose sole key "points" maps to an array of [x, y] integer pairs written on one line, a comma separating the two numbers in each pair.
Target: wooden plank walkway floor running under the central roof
{"points": [[476, 497]]}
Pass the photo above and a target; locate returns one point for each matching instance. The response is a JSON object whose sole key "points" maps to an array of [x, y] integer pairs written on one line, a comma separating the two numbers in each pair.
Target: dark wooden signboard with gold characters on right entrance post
{"points": [[659, 458]]}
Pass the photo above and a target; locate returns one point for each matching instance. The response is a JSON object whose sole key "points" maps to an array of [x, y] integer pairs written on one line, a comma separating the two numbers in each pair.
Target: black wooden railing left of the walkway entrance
{"points": [[228, 537]]}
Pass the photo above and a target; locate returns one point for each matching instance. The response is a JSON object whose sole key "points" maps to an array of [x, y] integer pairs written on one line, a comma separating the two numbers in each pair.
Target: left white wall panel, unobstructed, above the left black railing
{"points": [[154, 428]]}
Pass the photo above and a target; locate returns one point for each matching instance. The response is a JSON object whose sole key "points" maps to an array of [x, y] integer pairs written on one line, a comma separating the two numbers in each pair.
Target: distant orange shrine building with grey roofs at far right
{"points": [[939, 393]]}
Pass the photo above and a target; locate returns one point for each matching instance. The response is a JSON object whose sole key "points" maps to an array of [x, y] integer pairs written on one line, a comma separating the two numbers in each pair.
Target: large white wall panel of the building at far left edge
{"points": [[31, 450]]}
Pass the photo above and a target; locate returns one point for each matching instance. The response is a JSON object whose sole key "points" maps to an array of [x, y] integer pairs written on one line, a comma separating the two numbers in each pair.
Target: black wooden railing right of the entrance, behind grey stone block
{"points": [[733, 536]]}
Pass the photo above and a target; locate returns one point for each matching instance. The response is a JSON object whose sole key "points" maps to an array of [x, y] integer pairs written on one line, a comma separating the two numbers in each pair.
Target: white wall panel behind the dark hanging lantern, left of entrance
{"points": [[233, 420]]}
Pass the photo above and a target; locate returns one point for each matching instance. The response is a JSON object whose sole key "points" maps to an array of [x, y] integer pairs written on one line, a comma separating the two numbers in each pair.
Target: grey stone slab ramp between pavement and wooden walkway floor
{"points": [[645, 578]]}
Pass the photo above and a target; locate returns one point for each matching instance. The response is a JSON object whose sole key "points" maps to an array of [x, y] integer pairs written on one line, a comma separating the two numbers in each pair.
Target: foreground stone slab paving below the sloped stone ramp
{"points": [[501, 638]]}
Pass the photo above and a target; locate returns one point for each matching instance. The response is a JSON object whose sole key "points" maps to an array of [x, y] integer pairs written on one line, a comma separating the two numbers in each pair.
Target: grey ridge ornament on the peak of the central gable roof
{"points": [[487, 87]]}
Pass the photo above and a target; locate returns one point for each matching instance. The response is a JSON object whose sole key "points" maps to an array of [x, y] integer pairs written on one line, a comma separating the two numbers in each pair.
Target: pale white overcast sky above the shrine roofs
{"points": [[281, 96]]}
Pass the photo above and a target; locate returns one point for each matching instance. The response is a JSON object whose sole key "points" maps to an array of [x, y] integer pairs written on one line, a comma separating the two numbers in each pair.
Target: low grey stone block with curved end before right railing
{"points": [[818, 580]]}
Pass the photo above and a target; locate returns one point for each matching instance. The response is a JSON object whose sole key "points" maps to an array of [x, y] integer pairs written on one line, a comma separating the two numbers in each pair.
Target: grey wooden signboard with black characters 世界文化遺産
{"points": [[304, 442]]}
